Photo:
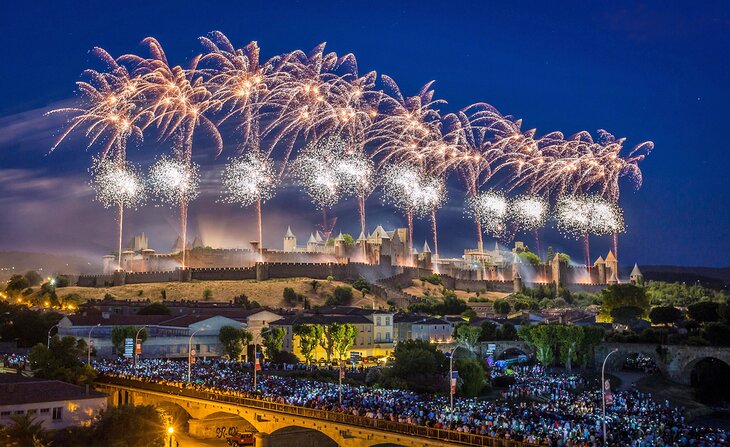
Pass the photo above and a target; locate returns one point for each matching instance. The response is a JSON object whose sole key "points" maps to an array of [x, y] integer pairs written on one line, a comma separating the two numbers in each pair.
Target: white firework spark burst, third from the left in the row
{"points": [[249, 178]]}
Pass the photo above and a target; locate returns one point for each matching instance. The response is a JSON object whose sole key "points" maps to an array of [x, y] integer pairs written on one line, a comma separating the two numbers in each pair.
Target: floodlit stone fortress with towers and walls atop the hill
{"points": [[376, 256]]}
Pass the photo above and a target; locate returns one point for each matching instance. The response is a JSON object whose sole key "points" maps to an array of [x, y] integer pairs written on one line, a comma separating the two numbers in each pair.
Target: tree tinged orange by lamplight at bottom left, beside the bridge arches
{"points": [[130, 426]]}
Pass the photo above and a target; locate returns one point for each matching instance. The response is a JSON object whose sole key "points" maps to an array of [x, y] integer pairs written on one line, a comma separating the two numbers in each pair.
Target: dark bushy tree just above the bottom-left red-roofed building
{"points": [[61, 361]]}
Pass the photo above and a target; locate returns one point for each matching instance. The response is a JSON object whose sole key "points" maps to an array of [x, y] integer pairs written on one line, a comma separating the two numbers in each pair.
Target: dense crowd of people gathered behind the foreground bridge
{"points": [[540, 407]]}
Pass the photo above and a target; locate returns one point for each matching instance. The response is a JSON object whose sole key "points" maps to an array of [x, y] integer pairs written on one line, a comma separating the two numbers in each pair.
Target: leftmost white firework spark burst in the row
{"points": [[117, 184]]}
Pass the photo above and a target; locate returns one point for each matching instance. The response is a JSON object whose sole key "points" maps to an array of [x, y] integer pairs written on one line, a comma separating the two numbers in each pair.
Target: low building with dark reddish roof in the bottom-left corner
{"points": [[52, 403]]}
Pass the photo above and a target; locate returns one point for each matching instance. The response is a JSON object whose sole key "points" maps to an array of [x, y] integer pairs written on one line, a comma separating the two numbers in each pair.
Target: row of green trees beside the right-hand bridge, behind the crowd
{"points": [[566, 342]]}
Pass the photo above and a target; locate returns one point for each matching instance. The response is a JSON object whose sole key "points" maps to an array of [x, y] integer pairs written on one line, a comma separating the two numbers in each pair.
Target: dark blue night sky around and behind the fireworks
{"points": [[643, 70]]}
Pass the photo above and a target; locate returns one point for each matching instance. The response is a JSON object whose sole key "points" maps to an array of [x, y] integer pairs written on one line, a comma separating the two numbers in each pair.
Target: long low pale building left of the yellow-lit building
{"points": [[168, 336]]}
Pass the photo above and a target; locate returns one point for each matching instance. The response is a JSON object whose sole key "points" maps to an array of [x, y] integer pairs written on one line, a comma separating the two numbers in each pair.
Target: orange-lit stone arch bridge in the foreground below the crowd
{"points": [[274, 424]]}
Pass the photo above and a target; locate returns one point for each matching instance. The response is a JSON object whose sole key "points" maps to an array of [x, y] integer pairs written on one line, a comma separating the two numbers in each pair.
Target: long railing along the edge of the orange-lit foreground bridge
{"points": [[331, 416]]}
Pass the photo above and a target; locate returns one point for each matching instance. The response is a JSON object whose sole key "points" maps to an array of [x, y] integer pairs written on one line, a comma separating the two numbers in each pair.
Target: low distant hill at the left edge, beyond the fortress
{"points": [[46, 264]]}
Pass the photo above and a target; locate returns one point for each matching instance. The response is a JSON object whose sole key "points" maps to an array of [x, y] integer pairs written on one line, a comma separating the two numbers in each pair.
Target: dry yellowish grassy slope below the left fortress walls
{"points": [[267, 293]]}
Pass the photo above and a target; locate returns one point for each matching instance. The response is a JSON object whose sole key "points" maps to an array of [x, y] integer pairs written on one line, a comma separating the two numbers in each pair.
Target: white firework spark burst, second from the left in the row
{"points": [[174, 181]]}
